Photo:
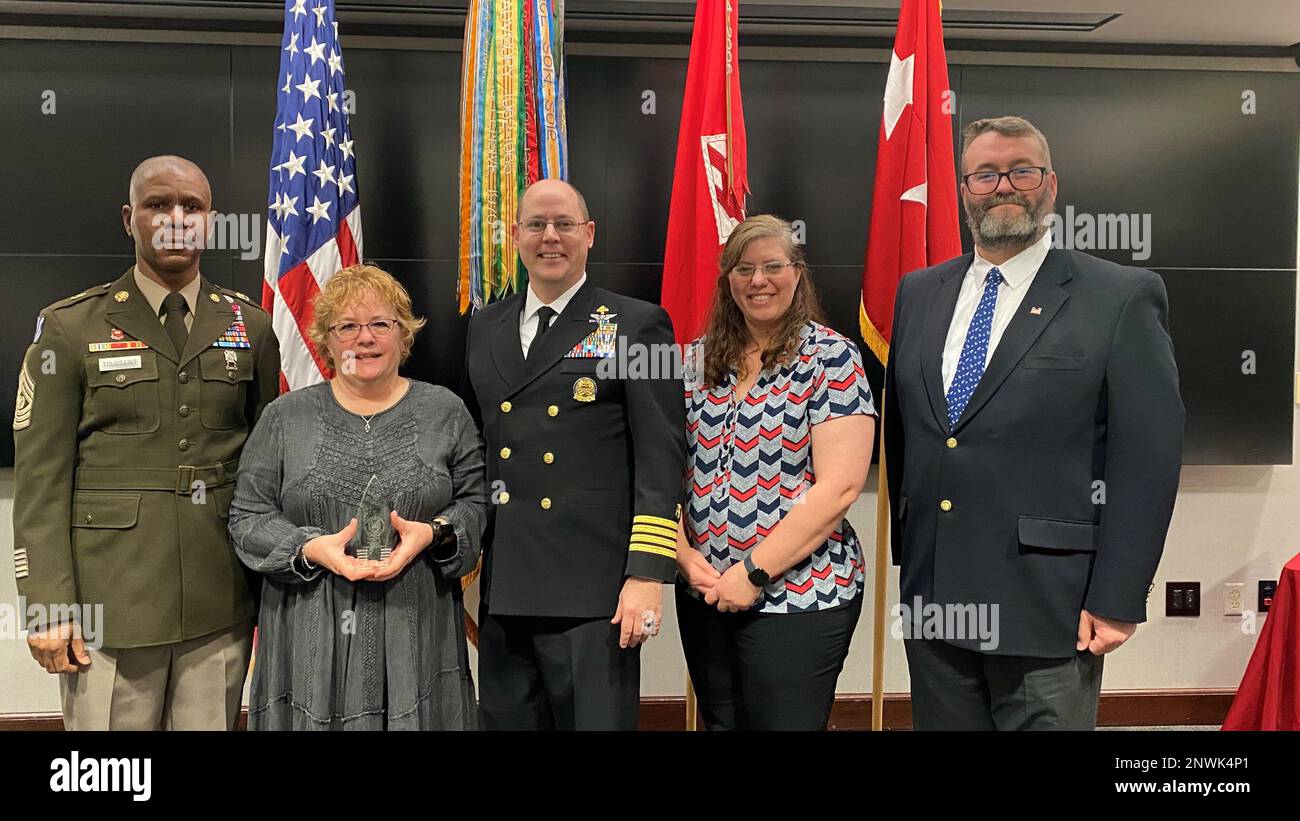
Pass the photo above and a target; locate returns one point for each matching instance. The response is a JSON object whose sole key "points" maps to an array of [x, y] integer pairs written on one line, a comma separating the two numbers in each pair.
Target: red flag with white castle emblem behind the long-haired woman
{"points": [[709, 185]]}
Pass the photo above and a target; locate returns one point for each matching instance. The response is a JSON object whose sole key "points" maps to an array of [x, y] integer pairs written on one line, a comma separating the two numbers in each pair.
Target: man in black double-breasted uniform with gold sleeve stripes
{"points": [[587, 472]]}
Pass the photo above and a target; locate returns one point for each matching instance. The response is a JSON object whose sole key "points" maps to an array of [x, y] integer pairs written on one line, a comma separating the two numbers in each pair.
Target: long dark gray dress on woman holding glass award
{"points": [[332, 654]]}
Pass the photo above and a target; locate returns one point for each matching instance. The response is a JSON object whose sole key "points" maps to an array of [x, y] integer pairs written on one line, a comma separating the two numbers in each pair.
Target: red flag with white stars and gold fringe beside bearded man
{"points": [[915, 203]]}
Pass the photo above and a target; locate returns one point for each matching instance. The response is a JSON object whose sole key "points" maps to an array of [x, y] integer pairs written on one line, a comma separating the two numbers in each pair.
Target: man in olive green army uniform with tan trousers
{"points": [[135, 402]]}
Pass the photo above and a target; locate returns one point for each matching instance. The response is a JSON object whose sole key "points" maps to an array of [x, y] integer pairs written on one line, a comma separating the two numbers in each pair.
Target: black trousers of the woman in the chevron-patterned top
{"points": [[765, 671]]}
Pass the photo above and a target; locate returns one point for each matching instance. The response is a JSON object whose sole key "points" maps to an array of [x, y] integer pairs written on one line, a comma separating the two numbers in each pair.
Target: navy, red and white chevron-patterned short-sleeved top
{"points": [[751, 461]]}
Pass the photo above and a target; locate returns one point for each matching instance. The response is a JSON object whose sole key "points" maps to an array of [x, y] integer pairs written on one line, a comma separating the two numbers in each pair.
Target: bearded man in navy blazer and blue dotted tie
{"points": [[1034, 441]]}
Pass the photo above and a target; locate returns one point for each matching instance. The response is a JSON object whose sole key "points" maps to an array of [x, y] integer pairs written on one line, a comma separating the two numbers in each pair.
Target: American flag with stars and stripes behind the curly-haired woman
{"points": [[314, 211]]}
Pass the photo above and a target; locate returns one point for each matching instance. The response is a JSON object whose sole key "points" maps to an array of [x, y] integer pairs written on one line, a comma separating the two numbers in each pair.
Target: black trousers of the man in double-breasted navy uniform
{"points": [[551, 674]]}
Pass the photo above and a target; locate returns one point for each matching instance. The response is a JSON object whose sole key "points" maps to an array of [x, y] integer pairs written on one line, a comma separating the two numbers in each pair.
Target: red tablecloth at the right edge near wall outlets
{"points": [[1269, 697]]}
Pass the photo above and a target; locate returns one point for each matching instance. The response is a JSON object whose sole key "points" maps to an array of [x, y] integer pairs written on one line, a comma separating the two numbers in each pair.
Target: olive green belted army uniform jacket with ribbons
{"points": [[125, 461]]}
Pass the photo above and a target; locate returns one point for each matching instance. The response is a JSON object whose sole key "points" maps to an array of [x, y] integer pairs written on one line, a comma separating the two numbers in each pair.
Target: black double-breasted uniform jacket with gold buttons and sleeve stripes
{"points": [[586, 462]]}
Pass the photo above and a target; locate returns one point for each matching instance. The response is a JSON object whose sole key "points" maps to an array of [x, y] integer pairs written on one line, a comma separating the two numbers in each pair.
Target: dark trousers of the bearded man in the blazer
{"points": [[956, 689]]}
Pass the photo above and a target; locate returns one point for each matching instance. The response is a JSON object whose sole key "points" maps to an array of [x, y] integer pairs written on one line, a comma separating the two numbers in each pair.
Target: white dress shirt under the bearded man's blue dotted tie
{"points": [[1017, 276]]}
